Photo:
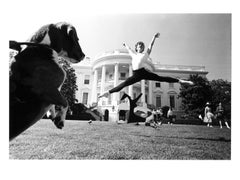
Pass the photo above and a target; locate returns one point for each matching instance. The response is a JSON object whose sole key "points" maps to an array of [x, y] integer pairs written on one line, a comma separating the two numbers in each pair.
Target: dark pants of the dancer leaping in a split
{"points": [[141, 74]]}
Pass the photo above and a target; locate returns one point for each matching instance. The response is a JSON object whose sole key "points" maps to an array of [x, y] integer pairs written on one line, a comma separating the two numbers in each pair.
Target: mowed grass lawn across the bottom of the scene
{"points": [[106, 140]]}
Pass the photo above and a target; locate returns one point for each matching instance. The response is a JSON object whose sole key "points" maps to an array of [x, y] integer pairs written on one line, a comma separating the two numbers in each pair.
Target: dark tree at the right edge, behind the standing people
{"points": [[222, 93]]}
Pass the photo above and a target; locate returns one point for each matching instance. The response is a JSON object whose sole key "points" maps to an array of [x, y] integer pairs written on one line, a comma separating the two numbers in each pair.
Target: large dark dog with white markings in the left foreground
{"points": [[36, 77]]}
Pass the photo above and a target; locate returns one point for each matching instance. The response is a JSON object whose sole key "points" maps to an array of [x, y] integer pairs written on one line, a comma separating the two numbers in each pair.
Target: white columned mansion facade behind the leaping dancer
{"points": [[111, 68]]}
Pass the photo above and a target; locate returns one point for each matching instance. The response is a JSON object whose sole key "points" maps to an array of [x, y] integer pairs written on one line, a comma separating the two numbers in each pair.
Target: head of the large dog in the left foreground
{"points": [[62, 37]]}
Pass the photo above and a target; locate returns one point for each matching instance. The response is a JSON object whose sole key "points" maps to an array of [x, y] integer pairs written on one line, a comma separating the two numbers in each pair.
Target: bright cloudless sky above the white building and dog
{"points": [[186, 39]]}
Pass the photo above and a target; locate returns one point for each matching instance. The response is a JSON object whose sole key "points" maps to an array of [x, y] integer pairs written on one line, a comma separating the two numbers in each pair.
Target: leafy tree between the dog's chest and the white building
{"points": [[69, 86]]}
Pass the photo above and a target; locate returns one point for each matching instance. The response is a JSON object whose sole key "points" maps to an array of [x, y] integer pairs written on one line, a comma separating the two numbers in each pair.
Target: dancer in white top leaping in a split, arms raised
{"points": [[140, 71]]}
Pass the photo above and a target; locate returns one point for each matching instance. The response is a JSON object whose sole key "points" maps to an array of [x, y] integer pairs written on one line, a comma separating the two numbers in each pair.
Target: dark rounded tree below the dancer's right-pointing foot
{"points": [[195, 97]]}
